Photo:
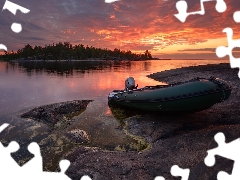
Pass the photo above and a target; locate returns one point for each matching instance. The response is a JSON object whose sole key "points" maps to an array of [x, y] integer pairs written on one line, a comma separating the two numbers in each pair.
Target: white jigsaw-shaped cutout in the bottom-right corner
{"points": [[227, 150]]}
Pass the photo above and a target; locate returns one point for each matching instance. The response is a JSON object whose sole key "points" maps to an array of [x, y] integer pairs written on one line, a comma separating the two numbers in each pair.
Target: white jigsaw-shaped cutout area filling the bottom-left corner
{"points": [[9, 168]]}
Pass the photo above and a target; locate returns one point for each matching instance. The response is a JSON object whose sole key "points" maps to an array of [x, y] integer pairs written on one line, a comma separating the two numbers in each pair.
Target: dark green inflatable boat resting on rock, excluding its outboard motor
{"points": [[194, 95]]}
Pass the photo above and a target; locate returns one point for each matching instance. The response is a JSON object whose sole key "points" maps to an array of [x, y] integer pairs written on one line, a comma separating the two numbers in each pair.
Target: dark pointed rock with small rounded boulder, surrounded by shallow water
{"points": [[59, 116]]}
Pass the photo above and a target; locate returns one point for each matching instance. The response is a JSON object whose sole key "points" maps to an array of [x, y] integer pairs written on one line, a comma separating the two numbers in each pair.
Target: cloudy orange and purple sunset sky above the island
{"points": [[135, 25]]}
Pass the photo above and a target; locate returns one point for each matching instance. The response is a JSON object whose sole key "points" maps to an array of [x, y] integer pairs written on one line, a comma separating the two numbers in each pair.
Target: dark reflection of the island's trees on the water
{"points": [[70, 68]]}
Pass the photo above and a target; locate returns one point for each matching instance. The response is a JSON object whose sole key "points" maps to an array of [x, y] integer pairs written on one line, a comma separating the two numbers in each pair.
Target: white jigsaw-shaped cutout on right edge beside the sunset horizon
{"points": [[222, 51]]}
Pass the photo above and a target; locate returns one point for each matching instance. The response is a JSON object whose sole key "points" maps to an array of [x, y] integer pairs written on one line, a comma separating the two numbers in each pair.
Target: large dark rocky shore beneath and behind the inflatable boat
{"points": [[181, 140]]}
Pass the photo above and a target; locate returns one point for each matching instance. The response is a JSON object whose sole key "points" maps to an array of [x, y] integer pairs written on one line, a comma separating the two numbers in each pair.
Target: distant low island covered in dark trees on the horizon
{"points": [[66, 51]]}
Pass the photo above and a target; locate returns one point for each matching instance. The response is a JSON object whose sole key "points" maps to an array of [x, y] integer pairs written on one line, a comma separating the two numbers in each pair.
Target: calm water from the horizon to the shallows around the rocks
{"points": [[26, 85]]}
